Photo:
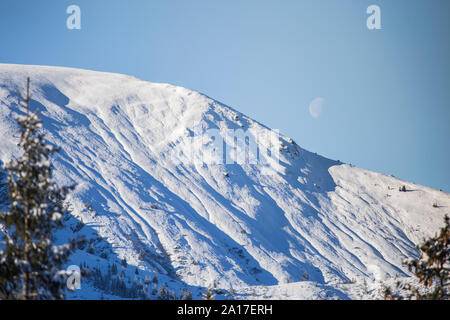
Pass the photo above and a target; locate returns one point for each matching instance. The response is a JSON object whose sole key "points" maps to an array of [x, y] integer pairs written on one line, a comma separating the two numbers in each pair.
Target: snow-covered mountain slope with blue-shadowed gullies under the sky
{"points": [[302, 231]]}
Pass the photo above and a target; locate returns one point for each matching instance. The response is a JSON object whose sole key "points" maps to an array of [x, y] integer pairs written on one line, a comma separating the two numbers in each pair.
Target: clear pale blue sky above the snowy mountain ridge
{"points": [[384, 94]]}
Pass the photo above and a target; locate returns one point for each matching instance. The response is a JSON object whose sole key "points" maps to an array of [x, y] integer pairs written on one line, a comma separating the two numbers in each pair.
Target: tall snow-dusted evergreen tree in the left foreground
{"points": [[29, 262]]}
